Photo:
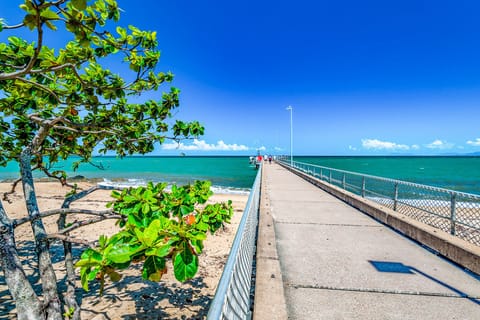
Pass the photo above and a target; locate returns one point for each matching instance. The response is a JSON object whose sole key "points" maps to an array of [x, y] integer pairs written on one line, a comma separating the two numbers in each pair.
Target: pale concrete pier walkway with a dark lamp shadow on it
{"points": [[319, 258]]}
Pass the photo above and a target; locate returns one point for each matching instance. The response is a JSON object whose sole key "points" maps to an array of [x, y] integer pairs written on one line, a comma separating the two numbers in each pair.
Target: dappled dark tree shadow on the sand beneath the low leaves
{"points": [[152, 300]]}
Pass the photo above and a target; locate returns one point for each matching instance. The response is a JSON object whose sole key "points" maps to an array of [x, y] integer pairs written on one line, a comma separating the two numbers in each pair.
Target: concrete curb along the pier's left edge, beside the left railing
{"points": [[269, 292]]}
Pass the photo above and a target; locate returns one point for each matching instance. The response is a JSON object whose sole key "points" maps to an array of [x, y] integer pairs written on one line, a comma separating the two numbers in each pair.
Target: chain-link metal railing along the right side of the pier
{"points": [[457, 213]]}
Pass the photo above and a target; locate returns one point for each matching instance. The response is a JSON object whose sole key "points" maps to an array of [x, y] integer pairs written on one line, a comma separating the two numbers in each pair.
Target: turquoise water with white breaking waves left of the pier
{"points": [[227, 174]]}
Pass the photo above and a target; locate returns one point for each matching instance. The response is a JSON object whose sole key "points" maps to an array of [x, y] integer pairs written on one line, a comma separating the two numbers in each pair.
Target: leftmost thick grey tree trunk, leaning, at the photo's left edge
{"points": [[27, 302]]}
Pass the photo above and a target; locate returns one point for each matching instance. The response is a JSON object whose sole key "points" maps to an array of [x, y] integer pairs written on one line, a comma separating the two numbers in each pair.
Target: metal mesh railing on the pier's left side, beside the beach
{"points": [[232, 297]]}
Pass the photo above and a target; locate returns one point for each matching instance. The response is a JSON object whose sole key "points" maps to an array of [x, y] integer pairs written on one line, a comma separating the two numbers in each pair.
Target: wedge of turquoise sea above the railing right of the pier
{"points": [[452, 172]]}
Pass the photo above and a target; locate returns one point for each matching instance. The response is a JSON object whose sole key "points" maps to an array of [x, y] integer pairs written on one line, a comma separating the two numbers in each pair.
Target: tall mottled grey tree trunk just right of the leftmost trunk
{"points": [[52, 302]]}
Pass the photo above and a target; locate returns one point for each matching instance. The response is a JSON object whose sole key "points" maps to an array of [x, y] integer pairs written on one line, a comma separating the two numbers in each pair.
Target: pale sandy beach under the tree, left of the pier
{"points": [[130, 298]]}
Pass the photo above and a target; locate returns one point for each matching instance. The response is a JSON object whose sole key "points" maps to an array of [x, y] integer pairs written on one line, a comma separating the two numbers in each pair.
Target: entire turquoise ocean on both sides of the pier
{"points": [[235, 174]]}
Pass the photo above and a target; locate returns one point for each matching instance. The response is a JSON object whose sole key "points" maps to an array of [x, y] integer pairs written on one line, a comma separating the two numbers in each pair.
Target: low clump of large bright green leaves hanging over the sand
{"points": [[156, 225]]}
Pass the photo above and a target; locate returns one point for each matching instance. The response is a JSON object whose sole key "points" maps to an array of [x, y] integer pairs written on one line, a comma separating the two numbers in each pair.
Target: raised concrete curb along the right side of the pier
{"points": [[451, 247]]}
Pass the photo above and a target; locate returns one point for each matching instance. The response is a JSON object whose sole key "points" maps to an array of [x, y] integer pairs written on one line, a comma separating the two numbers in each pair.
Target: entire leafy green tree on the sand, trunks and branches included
{"points": [[58, 103]]}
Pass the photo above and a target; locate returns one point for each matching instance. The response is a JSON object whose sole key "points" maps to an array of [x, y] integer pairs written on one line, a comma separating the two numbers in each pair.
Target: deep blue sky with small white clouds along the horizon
{"points": [[363, 77]]}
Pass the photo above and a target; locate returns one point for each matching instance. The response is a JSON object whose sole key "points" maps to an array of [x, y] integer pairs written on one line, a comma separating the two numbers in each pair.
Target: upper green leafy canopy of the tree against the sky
{"points": [[63, 101]]}
